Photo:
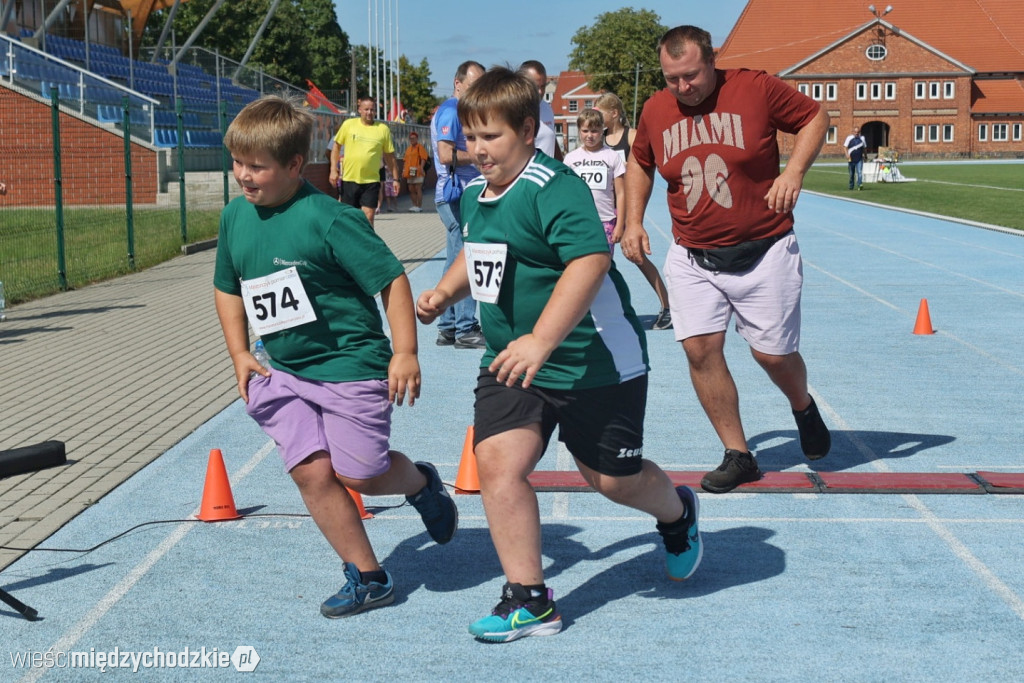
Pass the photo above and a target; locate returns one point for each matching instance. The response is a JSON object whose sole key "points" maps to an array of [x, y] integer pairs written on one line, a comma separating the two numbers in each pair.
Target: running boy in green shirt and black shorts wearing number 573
{"points": [[565, 349]]}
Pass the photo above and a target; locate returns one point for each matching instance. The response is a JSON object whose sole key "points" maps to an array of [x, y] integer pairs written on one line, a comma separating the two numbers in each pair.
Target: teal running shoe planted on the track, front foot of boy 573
{"points": [[519, 615]]}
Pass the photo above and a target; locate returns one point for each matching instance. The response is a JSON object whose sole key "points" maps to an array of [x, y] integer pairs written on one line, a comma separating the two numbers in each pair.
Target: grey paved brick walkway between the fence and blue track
{"points": [[121, 372]]}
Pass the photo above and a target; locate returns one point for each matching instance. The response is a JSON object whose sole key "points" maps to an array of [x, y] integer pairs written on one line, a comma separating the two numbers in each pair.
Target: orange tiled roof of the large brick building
{"points": [[775, 35]]}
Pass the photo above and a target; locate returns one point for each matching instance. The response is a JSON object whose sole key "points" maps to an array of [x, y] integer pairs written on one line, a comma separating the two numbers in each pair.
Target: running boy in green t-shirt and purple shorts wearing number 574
{"points": [[304, 271]]}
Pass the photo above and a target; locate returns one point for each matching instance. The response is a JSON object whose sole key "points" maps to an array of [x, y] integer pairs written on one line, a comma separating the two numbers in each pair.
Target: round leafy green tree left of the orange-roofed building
{"points": [[610, 52]]}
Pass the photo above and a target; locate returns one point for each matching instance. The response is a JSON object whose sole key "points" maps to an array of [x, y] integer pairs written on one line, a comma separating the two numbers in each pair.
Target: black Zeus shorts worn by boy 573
{"points": [[602, 428]]}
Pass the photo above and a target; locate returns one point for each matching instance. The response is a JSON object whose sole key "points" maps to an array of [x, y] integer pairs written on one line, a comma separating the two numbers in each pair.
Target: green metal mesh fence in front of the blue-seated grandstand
{"points": [[95, 193]]}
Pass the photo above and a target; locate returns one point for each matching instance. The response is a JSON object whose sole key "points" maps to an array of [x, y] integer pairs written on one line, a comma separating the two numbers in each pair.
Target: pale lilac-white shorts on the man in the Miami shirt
{"points": [[765, 300]]}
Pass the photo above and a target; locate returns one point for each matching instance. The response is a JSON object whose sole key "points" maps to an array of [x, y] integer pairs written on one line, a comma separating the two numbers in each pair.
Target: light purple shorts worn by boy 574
{"points": [[350, 420]]}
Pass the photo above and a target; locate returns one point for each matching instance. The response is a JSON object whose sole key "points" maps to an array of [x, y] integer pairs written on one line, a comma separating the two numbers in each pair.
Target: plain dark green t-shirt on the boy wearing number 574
{"points": [[343, 265]]}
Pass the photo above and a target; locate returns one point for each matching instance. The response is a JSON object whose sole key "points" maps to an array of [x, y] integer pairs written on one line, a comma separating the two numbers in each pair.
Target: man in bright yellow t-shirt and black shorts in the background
{"points": [[366, 143]]}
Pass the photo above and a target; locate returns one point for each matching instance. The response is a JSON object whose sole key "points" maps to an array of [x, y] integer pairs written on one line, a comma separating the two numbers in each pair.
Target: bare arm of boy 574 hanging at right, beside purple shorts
{"points": [[404, 371]]}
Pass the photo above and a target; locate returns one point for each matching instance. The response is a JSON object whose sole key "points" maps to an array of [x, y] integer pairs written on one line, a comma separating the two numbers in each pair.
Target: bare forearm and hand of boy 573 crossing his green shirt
{"points": [[571, 301]]}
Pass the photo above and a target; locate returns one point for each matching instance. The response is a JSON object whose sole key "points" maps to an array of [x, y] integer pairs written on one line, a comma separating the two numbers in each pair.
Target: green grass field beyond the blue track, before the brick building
{"points": [[985, 193]]}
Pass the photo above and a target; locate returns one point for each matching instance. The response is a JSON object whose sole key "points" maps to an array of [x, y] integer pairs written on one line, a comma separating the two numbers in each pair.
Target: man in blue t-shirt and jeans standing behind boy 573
{"points": [[458, 326]]}
